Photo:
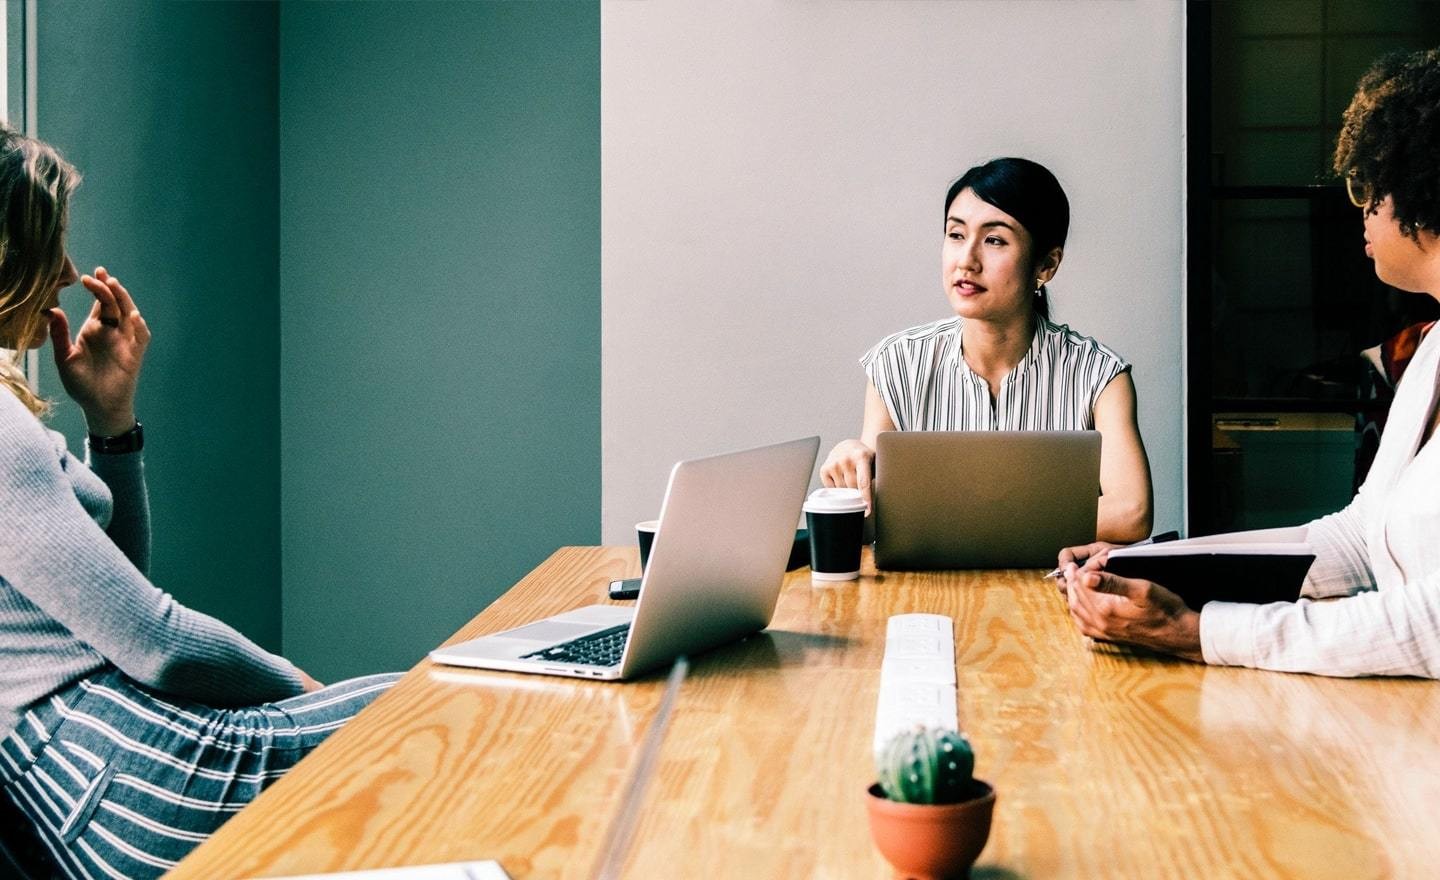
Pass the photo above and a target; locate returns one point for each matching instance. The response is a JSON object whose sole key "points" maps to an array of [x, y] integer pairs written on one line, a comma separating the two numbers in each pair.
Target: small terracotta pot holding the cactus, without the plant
{"points": [[931, 842]]}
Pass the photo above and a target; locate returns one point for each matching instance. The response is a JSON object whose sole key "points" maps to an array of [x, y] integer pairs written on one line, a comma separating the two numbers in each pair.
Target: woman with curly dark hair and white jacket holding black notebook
{"points": [[1379, 558]]}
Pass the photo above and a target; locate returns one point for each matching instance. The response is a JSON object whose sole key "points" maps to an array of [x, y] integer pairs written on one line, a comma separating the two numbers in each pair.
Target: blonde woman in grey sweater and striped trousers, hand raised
{"points": [[130, 727]]}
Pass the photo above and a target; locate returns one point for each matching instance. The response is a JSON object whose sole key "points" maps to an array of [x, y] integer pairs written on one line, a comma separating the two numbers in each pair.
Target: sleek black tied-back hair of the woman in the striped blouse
{"points": [[1027, 192]]}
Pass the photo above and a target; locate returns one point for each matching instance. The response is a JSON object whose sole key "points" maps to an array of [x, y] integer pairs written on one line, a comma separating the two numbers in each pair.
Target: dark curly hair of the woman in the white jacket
{"points": [[1390, 138]]}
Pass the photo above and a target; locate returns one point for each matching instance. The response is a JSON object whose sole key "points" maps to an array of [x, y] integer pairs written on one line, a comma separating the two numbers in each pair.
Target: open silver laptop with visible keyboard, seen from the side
{"points": [[715, 574]]}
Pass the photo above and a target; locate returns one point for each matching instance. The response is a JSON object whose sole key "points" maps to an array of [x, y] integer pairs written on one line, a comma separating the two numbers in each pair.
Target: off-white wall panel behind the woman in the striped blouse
{"points": [[773, 187]]}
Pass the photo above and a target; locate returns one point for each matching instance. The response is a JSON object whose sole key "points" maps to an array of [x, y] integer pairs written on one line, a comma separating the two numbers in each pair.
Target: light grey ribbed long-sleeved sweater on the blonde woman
{"points": [[74, 594]]}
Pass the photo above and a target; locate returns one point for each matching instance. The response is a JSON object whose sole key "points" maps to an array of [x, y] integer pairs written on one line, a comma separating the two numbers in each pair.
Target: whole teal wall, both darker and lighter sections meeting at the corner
{"points": [[368, 241]]}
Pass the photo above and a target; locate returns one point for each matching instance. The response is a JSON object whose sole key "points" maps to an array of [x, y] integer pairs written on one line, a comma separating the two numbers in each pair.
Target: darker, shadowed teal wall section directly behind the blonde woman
{"points": [[171, 113]]}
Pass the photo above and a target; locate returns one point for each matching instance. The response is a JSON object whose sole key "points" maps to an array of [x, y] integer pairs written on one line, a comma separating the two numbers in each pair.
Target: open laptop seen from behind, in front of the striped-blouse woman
{"points": [[984, 499]]}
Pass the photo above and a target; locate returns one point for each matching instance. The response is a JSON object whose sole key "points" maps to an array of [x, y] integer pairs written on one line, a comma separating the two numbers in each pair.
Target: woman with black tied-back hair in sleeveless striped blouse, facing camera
{"points": [[1000, 364]]}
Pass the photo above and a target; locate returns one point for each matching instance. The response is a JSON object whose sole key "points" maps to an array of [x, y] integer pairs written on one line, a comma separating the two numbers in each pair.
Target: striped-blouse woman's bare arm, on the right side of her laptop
{"points": [[1125, 475]]}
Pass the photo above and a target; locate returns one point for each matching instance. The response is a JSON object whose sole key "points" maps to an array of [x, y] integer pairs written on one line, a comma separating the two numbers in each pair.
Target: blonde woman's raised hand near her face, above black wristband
{"points": [[100, 368]]}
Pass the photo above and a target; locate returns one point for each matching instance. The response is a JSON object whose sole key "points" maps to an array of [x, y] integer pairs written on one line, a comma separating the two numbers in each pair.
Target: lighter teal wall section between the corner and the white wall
{"points": [[440, 315]]}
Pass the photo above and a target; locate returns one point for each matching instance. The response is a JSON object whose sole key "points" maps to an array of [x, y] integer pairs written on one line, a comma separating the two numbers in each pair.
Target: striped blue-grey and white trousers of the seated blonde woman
{"points": [[120, 783]]}
